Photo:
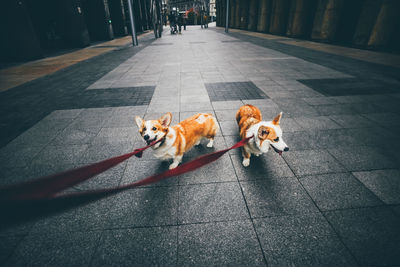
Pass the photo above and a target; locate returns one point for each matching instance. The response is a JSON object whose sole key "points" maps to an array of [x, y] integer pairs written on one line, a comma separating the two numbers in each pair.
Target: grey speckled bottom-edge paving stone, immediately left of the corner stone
{"points": [[303, 240]]}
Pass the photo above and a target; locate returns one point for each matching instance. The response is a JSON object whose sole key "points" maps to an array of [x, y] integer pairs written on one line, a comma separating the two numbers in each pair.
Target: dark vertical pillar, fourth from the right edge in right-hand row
{"points": [[301, 16]]}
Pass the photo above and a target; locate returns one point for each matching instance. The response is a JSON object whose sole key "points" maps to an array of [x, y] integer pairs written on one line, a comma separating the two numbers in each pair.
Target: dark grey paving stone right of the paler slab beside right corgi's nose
{"points": [[357, 158]]}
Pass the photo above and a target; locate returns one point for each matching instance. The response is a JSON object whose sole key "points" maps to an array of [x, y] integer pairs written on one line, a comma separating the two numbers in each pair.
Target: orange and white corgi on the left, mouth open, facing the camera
{"points": [[179, 138]]}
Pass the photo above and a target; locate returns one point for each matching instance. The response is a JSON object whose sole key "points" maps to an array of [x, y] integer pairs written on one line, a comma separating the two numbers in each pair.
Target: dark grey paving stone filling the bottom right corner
{"points": [[371, 234]]}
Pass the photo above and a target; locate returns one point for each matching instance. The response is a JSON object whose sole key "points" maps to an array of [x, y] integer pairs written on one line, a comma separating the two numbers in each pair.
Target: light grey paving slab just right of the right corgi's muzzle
{"points": [[309, 162]]}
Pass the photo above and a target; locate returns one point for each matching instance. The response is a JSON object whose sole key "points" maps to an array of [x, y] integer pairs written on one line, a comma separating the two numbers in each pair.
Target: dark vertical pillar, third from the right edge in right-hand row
{"points": [[326, 19]]}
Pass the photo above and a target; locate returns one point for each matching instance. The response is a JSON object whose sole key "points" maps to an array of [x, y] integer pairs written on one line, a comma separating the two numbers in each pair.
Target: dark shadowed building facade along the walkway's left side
{"points": [[31, 28]]}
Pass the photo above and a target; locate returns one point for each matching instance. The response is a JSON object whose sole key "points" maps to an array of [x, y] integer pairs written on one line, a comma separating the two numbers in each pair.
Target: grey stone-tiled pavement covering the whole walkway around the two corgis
{"points": [[332, 200]]}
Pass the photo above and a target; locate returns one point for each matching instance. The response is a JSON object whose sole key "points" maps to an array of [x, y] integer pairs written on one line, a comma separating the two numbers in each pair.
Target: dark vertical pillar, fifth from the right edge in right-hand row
{"points": [[279, 15]]}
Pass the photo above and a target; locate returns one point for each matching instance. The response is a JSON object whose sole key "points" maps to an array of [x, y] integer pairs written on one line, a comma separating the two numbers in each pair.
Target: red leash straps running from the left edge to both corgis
{"points": [[46, 188]]}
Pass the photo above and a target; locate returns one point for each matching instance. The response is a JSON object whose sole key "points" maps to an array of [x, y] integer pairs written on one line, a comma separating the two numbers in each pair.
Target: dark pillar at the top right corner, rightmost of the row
{"points": [[385, 25]]}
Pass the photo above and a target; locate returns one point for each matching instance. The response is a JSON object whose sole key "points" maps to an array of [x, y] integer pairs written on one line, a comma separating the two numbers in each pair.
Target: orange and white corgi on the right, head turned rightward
{"points": [[266, 133]]}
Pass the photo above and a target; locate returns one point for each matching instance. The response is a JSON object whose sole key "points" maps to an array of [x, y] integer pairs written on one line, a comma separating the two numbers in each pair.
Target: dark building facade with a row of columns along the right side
{"points": [[370, 24]]}
